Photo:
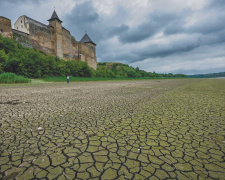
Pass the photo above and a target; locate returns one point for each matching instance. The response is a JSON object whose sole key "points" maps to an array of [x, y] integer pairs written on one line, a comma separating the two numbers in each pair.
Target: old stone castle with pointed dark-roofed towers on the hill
{"points": [[51, 39]]}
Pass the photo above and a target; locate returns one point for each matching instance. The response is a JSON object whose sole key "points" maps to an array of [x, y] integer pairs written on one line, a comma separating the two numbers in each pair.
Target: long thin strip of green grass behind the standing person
{"points": [[77, 79]]}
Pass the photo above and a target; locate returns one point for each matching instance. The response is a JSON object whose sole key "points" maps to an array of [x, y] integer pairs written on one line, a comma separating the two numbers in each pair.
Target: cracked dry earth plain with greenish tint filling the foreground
{"points": [[147, 129]]}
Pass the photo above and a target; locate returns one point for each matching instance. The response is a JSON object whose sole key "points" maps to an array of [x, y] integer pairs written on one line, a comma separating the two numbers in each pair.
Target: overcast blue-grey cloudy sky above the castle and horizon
{"points": [[177, 36]]}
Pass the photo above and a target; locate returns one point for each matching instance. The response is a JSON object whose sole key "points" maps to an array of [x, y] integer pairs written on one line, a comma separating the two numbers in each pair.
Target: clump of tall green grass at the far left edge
{"points": [[9, 78]]}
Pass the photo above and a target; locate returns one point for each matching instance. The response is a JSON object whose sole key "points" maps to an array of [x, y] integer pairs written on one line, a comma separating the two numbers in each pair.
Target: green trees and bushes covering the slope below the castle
{"points": [[34, 64]]}
